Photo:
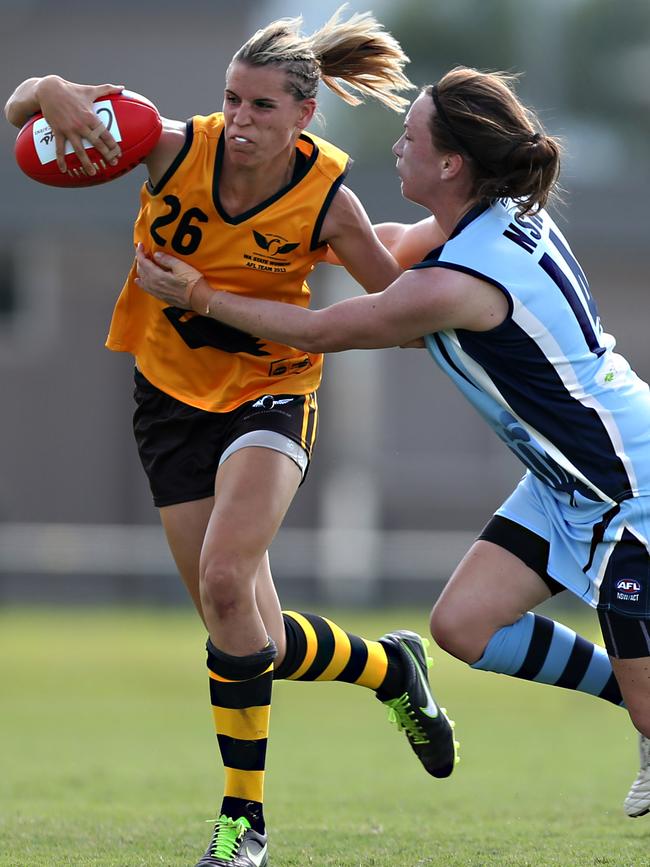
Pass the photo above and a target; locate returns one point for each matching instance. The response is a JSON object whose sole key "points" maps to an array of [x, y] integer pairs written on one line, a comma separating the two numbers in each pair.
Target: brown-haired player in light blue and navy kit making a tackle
{"points": [[508, 315]]}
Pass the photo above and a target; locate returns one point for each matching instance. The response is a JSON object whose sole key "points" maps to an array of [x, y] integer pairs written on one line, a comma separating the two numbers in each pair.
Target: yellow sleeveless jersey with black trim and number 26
{"points": [[266, 252]]}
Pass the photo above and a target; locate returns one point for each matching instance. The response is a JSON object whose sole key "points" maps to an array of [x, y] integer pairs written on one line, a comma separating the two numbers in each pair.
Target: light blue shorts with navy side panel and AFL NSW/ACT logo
{"points": [[598, 551]]}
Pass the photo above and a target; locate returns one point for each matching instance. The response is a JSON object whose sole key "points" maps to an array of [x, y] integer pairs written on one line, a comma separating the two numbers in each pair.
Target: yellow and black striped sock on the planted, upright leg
{"points": [[240, 694]]}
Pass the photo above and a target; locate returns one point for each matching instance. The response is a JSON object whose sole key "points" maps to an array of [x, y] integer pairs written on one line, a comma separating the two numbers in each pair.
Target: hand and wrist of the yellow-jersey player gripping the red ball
{"points": [[67, 108]]}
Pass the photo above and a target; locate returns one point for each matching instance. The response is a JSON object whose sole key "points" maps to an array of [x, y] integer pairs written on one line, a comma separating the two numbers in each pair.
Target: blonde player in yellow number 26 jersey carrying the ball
{"points": [[225, 422]]}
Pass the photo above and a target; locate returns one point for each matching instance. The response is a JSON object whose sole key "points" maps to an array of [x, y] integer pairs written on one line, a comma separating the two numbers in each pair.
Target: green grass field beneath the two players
{"points": [[108, 758]]}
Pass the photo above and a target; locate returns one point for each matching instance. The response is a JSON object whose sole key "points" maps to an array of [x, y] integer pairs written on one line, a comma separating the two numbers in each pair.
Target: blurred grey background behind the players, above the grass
{"points": [[404, 474]]}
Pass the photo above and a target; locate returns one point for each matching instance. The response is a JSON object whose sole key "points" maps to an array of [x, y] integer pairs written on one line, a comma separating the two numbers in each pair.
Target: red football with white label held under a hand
{"points": [[133, 121]]}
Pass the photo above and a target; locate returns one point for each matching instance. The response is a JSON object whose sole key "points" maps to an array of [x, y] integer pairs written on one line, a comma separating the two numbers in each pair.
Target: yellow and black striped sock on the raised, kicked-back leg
{"points": [[318, 649]]}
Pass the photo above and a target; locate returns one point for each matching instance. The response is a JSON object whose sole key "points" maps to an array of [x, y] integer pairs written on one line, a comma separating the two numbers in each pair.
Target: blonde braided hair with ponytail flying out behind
{"points": [[357, 54]]}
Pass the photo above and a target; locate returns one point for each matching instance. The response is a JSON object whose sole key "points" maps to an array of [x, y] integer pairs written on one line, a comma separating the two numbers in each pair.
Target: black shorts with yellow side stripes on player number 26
{"points": [[181, 446]]}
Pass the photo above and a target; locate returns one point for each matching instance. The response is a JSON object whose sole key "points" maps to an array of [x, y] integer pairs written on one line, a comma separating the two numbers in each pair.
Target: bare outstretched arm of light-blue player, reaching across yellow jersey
{"points": [[418, 302]]}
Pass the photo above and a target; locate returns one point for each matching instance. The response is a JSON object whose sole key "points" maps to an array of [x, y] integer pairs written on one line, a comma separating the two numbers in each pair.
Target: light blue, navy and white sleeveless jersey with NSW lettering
{"points": [[547, 379]]}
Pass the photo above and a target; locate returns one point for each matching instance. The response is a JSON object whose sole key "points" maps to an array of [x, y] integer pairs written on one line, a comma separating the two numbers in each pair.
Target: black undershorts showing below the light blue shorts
{"points": [[625, 636]]}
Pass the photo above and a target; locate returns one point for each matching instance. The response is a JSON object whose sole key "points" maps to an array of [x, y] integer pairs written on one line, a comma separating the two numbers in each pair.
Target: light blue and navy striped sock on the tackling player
{"points": [[537, 648]]}
